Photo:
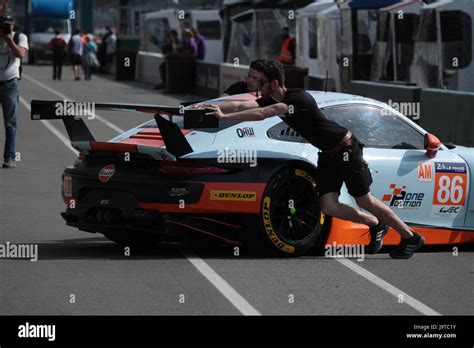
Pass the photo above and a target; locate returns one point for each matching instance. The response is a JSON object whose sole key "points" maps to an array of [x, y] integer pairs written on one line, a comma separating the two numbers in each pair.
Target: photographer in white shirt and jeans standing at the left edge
{"points": [[13, 47]]}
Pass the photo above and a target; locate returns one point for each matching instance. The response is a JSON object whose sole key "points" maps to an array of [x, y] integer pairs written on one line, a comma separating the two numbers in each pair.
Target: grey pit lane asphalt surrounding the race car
{"points": [[105, 281]]}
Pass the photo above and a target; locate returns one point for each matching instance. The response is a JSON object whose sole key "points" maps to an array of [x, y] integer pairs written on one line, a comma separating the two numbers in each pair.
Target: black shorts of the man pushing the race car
{"points": [[346, 165]]}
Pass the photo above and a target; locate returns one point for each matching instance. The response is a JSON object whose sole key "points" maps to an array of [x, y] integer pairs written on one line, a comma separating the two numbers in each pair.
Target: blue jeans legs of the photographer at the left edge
{"points": [[10, 109]]}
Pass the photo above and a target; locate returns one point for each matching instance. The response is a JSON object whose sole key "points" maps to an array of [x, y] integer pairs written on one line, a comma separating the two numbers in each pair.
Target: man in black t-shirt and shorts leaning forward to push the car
{"points": [[340, 158]]}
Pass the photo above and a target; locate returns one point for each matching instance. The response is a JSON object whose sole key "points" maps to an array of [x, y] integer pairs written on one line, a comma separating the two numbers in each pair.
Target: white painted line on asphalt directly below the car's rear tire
{"points": [[224, 288]]}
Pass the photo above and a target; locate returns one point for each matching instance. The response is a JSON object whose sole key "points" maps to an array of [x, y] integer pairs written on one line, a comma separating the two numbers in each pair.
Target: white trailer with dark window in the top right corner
{"points": [[444, 47]]}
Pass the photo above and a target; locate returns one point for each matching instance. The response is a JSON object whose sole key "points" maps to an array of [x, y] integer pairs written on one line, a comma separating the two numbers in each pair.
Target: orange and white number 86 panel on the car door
{"points": [[450, 189]]}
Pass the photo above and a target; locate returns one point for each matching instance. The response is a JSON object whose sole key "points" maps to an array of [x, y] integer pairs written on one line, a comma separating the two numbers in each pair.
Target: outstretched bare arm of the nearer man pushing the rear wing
{"points": [[252, 114]]}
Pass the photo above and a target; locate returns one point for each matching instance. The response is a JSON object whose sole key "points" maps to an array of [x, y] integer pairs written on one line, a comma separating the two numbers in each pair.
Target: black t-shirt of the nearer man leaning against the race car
{"points": [[308, 120]]}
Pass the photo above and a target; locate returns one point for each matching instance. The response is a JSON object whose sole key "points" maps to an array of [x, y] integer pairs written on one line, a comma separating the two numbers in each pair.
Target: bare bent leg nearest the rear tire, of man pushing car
{"points": [[330, 205]]}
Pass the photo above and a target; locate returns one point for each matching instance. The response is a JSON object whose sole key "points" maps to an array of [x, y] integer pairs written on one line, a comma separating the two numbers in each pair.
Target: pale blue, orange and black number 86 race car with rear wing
{"points": [[184, 174]]}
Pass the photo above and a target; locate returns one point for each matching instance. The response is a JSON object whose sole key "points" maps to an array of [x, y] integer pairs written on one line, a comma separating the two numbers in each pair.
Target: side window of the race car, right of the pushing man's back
{"points": [[376, 127]]}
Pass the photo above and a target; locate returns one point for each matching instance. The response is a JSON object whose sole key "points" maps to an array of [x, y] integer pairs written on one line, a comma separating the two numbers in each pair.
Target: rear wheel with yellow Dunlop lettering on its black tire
{"points": [[290, 221]]}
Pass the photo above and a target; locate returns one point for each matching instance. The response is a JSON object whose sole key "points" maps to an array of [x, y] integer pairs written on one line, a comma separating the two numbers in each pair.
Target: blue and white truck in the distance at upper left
{"points": [[43, 18]]}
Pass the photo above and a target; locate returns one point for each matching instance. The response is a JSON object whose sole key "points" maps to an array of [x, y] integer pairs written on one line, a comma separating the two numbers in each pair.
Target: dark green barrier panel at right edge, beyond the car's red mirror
{"points": [[448, 114]]}
